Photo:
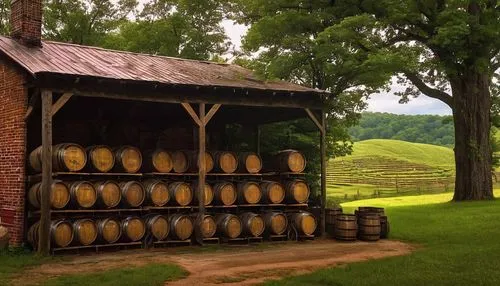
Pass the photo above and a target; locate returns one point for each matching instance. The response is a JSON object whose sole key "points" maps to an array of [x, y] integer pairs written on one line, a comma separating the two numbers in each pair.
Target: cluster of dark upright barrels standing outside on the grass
{"points": [[368, 224]]}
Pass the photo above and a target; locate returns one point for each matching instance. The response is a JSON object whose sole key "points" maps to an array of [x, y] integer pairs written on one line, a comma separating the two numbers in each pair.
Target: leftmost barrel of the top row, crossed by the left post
{"points": [[66, 157]]}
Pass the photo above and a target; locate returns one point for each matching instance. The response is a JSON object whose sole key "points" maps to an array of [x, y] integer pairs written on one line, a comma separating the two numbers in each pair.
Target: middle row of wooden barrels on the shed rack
{"points": [[158, 193]]}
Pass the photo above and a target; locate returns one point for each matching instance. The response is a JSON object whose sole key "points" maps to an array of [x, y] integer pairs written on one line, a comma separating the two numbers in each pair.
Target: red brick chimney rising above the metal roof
{"points": [[26, 21]]}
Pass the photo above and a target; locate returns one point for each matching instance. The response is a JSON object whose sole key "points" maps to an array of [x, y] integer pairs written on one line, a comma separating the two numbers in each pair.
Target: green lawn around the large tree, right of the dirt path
{"points": [[459, 244]]}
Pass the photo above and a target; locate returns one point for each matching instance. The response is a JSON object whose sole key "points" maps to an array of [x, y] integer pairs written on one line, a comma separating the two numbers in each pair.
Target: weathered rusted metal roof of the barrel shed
{"points": [[77, 60]]}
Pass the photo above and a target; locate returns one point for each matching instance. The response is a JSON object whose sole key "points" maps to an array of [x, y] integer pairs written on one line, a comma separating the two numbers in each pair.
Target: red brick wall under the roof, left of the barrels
{"points": [[13, 105]]}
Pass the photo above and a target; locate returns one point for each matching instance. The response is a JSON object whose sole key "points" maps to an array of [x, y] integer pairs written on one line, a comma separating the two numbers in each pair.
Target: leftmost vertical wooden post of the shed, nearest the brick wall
{"points": [[44, 230]]}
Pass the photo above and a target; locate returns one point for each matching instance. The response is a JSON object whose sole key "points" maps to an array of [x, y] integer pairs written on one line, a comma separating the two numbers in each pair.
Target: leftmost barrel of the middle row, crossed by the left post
{"points": [[59, 195]]}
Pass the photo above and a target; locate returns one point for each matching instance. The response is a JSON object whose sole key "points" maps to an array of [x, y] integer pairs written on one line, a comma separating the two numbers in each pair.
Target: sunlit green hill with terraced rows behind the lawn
{"points": [[383, 168]]}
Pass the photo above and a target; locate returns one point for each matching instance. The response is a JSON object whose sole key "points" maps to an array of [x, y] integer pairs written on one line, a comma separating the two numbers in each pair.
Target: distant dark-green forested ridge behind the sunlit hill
{"points": [[429, 129]]}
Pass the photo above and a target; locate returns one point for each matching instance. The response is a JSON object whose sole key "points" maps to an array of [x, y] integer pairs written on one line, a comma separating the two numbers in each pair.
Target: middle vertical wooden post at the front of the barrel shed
{"points": [[202, 173]]}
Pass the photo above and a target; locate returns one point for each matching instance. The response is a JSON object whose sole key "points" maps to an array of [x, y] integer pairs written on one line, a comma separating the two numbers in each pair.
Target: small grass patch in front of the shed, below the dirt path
{"points": [[148, 275]]}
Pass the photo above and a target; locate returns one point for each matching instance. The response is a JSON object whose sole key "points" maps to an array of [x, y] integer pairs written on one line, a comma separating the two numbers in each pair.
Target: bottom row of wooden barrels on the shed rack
{"points": [[157, 227]]}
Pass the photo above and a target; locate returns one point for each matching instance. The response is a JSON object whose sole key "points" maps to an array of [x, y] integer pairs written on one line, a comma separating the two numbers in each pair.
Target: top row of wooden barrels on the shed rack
{"points": [[69, 157]]}
